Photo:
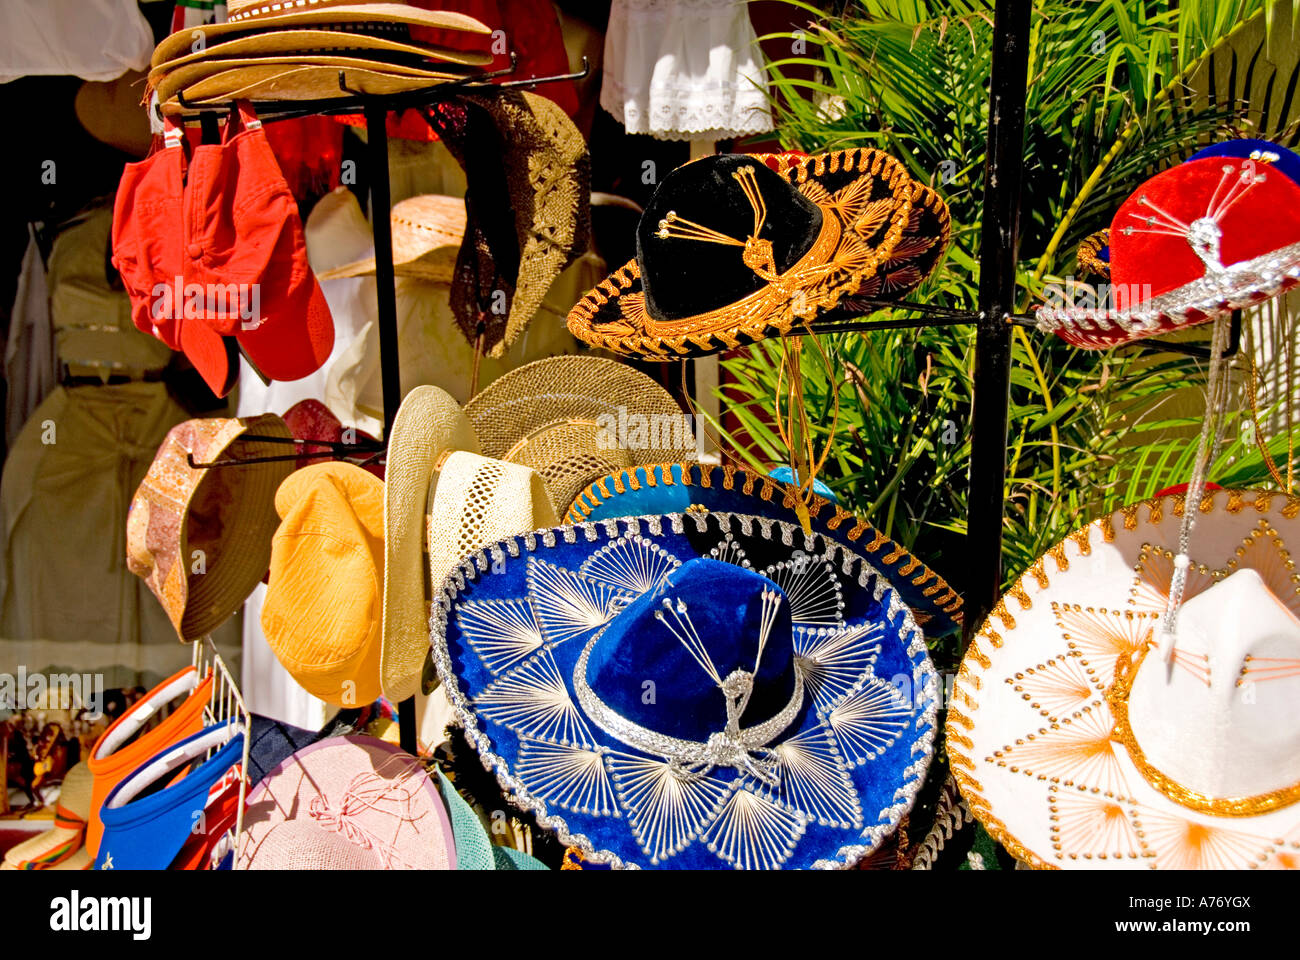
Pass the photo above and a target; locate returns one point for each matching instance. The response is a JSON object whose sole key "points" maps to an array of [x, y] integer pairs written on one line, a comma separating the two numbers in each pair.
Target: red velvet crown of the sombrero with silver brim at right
{"points": [[1264, 219]]}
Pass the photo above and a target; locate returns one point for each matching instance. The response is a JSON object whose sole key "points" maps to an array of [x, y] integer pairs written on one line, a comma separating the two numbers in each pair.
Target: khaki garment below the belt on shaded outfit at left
{"points": [[67, 598]]}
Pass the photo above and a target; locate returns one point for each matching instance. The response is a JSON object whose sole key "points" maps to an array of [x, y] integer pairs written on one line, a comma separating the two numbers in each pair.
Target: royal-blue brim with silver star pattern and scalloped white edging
{"points": [[510, 629]]}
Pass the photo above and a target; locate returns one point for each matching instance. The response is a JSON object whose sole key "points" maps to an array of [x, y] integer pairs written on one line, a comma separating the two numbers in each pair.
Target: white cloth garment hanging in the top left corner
{"points": [[93, 40]]}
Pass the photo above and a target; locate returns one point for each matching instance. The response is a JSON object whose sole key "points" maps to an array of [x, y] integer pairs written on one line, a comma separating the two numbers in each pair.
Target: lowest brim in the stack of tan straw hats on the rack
{"points": [[296, 84]]}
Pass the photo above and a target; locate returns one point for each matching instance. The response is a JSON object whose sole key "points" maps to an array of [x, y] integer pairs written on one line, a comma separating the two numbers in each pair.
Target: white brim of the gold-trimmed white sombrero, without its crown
{"points": [[1032, 733]]}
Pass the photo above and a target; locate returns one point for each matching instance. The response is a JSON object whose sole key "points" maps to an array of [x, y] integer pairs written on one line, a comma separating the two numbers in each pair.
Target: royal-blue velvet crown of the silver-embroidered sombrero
{"points": [[704, 658]]}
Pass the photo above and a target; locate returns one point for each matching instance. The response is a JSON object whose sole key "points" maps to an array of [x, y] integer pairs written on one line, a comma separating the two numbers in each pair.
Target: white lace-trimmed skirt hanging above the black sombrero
{"points": [[684, 70]]}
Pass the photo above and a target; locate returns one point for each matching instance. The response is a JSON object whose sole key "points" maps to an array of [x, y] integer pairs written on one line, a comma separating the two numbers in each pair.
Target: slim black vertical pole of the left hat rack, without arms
{"points": [[387, 297]]}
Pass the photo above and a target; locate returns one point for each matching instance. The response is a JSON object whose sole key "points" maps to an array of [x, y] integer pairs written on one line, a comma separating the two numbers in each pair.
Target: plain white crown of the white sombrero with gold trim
{"points": [[1221, 720]]}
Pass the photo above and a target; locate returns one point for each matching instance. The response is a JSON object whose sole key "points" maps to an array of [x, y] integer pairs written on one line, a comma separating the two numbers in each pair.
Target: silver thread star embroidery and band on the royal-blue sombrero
{"points": [[744, 794]]}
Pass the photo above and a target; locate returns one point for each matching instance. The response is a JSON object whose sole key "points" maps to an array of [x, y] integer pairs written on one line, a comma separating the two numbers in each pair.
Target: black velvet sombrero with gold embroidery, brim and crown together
{"points": [[731, 252]]}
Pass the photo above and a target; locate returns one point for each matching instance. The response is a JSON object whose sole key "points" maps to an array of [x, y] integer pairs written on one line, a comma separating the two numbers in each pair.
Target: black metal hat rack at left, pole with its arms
{"points": [[375, 109]]}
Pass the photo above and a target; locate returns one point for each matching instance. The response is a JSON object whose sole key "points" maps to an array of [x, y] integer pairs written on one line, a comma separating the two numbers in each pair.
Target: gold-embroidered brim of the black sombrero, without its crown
{"points": [[843, 184]]}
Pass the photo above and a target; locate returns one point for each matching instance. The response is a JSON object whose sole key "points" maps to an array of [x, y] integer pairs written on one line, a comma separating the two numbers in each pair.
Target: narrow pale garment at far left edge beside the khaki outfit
{"points": [[31, 369]]}
